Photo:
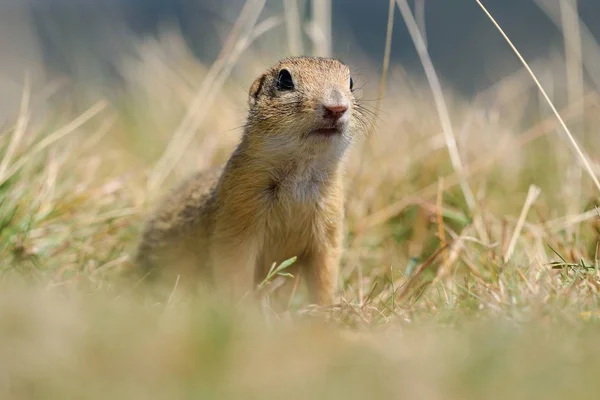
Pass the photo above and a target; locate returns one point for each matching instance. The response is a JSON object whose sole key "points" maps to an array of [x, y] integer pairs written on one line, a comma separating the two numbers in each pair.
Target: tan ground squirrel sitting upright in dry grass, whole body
{"points": [[280, 194]]}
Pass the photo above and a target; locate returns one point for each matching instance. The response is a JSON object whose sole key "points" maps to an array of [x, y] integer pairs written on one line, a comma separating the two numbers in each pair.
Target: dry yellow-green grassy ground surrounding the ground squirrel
{"points": [[440, 299]]}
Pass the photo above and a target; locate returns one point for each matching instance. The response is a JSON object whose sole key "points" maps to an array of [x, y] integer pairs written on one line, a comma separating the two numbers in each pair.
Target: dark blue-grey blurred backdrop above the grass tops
{"points": [[468, 52]]}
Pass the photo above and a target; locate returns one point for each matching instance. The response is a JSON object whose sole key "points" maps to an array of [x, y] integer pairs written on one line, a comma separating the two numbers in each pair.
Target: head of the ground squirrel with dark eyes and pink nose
{"points": [[304, 104]]}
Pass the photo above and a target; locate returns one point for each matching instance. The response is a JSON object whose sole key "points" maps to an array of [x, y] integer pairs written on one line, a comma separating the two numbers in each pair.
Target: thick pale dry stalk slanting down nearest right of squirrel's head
{"points": [[442, 109]]}
